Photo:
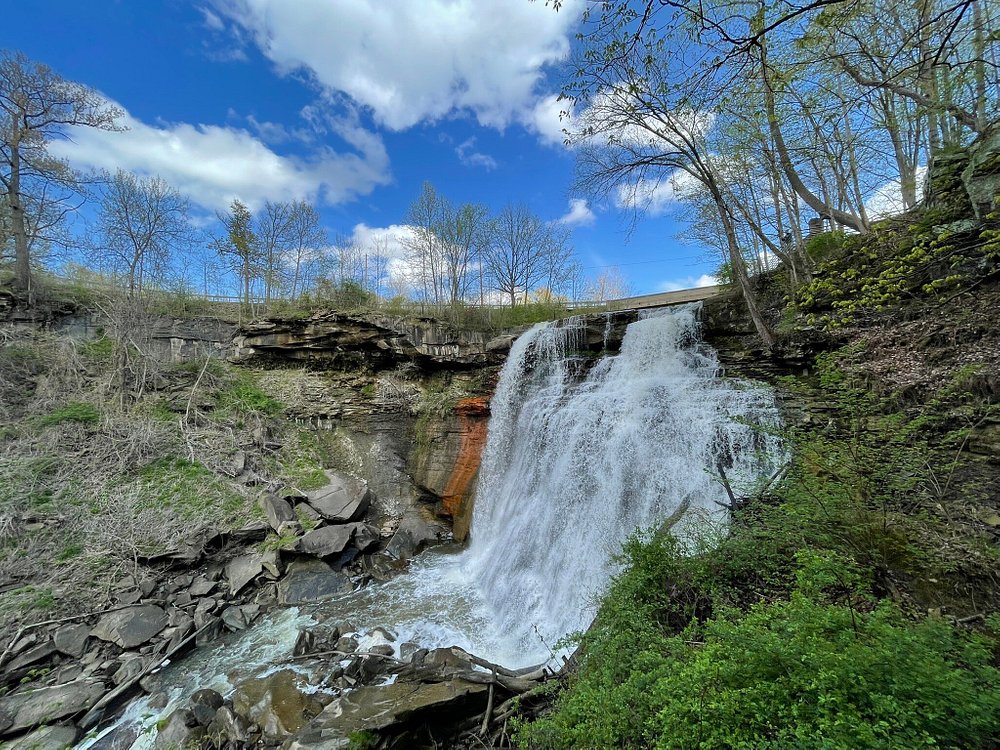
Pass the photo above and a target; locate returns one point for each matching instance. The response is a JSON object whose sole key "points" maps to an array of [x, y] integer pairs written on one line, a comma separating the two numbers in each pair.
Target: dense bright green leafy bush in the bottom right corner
{"points": [[802, 672]]}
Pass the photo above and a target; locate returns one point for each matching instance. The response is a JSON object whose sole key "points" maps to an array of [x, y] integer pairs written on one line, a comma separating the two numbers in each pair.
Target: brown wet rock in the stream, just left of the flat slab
{"points": [[279, 703]]}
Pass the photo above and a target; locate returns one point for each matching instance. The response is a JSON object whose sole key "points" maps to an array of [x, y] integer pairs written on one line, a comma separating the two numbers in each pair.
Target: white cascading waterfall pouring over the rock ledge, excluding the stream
{"points": [[575, 463]]}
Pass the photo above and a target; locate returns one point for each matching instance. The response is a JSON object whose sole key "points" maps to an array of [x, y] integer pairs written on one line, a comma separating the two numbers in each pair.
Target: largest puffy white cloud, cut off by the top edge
{"points": [[415, 60]]}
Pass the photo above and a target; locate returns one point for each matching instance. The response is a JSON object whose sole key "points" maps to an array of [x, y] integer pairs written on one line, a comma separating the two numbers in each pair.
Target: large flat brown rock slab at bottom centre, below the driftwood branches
{"points": [[374, 708]]}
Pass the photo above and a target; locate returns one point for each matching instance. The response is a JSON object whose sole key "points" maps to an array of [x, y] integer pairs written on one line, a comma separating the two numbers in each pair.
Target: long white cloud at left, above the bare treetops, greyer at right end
{"points": [[213, 164]]}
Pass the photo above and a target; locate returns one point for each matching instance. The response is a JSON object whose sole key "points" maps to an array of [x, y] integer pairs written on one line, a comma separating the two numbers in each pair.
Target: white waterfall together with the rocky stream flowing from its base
{"points": [[580, 454]]}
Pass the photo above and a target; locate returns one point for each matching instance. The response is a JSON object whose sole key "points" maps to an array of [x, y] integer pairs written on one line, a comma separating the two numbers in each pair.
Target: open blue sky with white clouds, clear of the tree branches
{"points": [[351, 104]]}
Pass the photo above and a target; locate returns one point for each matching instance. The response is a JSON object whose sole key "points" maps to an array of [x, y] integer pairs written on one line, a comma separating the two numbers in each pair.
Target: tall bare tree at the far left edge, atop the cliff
{"points": [[37, 105]]}
